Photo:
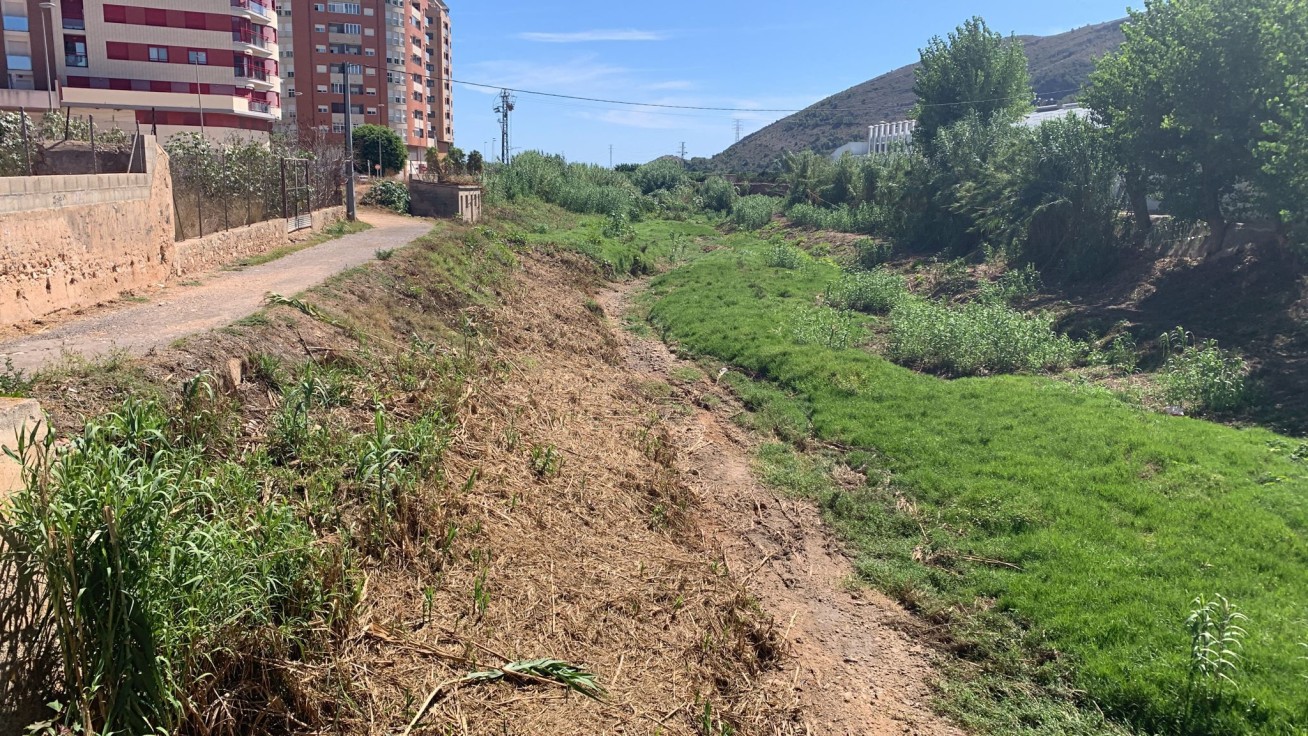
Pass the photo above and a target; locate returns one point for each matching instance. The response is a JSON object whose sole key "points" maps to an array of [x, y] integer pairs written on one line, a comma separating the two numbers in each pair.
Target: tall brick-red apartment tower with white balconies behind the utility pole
{"points": [[397, 54]]}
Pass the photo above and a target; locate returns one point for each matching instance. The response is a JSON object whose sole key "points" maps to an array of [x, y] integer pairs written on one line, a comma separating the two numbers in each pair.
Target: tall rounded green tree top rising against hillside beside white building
{"points": [[972, 73]]}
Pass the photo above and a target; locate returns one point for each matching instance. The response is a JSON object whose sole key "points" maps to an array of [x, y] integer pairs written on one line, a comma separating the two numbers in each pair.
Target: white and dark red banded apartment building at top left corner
{"points": [[193, 66]]}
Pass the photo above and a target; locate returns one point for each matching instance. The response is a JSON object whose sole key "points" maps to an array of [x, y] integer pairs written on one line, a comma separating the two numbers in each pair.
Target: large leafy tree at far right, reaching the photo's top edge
{"points": [[1184, 101]]}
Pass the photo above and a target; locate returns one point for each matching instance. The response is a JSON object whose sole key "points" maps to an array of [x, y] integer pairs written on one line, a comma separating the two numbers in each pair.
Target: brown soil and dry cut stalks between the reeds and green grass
{"points": [[647, 554]]}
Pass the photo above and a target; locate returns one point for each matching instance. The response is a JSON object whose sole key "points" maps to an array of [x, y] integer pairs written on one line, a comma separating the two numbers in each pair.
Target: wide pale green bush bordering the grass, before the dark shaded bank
{"points": [[978, 338]]}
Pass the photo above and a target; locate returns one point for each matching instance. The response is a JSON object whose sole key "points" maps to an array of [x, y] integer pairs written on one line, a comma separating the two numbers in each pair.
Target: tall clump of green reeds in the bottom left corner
{"points": [[160, 572]]}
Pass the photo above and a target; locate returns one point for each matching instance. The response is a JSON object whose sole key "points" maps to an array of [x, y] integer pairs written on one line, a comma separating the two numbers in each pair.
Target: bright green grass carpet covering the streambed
{"points": [[1061, 535]]}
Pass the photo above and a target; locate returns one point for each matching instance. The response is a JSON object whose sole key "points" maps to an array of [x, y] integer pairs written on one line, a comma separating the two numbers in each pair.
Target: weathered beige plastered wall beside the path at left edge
{"points": [[70, 243]]}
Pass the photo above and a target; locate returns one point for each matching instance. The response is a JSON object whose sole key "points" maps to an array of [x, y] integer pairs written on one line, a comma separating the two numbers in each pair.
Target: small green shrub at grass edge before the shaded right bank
{"points": [[1201, 376]]}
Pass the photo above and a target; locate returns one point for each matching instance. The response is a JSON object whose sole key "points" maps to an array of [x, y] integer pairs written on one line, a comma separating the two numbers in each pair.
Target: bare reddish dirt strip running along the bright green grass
{"points": [[857, 673]]}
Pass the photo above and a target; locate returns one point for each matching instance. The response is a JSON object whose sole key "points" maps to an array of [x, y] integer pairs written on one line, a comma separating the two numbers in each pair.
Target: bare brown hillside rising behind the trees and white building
{"points": [[1060, 65]]}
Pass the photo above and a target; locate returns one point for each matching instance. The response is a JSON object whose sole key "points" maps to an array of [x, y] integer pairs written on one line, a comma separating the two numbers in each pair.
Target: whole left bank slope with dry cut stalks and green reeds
{"points": [[431, 505]]}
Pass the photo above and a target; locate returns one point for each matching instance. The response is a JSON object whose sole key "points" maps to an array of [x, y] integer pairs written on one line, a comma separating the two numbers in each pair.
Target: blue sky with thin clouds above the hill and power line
{"points": [[710, 53]]}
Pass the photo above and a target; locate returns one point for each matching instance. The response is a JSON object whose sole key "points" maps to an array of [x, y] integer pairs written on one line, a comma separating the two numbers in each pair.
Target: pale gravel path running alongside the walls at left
{"points": [[223, 299]]}
